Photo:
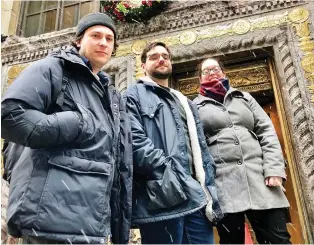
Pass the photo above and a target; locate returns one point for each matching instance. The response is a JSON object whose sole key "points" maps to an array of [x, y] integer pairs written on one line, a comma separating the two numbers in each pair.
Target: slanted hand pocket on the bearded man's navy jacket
{"points": [[165, 193]]}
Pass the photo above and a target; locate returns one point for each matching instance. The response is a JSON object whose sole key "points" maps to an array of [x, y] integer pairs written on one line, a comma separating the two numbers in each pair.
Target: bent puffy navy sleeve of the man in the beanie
{"points": [[24, 119]]}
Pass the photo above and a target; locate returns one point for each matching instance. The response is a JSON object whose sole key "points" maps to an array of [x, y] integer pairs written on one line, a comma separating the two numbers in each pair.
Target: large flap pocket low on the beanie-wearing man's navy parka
{"points": [[75, 196]]}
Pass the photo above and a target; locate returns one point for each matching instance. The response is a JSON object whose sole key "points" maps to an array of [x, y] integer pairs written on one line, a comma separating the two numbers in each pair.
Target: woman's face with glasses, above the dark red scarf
{"points": [[211, 70]]}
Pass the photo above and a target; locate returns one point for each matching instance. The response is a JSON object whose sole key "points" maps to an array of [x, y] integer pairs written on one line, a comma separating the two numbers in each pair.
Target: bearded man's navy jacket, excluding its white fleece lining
{"points": [[163, 185]]}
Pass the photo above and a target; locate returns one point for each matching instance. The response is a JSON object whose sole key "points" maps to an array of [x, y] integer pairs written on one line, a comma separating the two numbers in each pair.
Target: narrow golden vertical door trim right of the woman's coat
{"points": [[295, 179]]}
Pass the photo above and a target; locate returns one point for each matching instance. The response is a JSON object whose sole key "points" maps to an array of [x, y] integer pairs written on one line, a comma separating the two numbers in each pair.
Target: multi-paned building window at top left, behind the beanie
{"points": [[48, 16]]}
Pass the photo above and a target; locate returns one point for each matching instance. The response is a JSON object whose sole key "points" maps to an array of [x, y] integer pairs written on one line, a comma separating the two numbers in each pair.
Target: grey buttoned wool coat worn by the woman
{"points": [[246, 150]]}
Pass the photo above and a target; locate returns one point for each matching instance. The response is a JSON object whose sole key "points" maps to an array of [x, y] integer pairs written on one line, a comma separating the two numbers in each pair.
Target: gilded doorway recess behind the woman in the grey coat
{"points": [[254, 72]]}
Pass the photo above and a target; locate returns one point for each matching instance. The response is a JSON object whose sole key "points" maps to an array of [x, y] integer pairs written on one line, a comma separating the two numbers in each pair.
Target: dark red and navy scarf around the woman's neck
{"points": [[214, 88]]}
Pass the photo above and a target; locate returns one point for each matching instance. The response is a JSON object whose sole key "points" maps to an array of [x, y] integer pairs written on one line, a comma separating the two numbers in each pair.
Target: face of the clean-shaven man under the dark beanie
{"points": [[97, 45]]}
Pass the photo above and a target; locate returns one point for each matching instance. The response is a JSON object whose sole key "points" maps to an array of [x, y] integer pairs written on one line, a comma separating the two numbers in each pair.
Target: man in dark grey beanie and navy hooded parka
{"points": [[72, 181]]}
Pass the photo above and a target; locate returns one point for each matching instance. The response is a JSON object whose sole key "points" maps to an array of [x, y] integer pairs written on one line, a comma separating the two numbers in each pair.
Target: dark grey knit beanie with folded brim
{"points": [[94, 19]]}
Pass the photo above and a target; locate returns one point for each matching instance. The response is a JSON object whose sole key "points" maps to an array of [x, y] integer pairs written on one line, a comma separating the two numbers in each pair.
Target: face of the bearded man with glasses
{"points": [[157, 65]]}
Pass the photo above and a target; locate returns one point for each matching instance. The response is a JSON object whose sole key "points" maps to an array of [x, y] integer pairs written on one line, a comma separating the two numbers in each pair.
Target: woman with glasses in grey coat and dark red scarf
{"points": [[249, 163]]}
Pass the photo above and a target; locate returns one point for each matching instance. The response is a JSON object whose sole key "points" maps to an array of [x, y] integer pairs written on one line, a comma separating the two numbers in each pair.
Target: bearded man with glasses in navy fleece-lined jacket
{"points": [[174, 196]]}
